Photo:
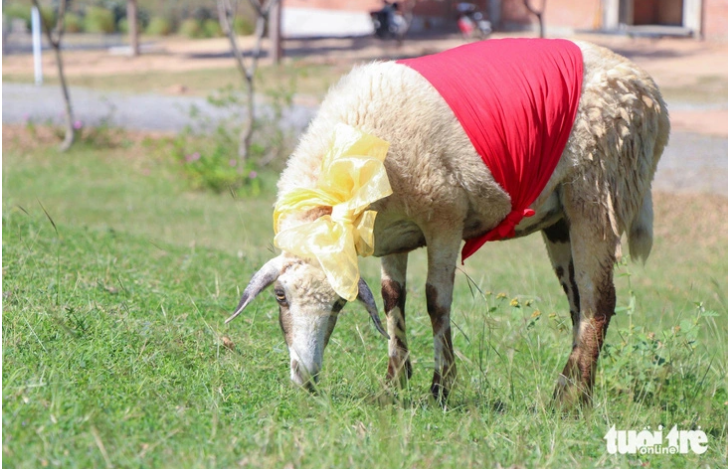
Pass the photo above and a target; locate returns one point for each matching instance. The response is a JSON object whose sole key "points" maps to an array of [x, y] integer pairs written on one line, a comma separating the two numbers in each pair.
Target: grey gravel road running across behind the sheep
{"points": [[692, 162]]}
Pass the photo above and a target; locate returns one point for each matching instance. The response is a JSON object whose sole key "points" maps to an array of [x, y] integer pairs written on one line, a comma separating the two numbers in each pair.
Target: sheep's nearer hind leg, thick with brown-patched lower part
{"points": [[593, 249]]}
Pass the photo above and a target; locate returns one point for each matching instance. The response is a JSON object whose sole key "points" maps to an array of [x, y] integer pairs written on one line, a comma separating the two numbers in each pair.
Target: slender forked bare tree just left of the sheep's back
{"points": [[226, 11]]}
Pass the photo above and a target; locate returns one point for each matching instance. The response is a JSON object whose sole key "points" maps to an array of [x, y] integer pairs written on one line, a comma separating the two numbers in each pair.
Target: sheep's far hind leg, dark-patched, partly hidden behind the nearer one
{"points": [[558, 245]]}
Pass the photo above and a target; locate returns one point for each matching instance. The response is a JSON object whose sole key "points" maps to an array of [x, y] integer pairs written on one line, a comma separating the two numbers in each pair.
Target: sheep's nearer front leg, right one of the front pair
{"points": [[442, 252]]}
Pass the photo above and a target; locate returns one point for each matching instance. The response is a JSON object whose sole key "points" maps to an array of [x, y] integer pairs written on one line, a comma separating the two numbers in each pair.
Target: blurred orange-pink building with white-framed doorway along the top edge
{"points": [[703, 19]]}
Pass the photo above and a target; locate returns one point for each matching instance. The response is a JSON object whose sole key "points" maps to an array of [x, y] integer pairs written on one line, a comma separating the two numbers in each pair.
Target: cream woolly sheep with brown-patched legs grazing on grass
{"points": [[442, 193]]}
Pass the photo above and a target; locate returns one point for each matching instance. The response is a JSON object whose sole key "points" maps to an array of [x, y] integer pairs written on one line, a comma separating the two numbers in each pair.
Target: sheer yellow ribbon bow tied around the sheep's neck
{"points": [[352, 177]]}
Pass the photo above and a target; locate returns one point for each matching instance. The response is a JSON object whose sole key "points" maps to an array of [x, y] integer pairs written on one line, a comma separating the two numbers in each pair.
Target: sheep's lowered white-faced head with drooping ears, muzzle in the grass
{"points": [[308, 310]]}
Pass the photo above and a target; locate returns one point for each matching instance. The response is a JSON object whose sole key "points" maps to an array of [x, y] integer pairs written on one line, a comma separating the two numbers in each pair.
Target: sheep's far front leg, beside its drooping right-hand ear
{"points": [[394, 293]]}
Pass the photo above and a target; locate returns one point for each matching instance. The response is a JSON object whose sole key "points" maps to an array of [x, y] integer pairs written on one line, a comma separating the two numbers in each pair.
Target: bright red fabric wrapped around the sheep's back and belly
{"points": [[517, 100]]}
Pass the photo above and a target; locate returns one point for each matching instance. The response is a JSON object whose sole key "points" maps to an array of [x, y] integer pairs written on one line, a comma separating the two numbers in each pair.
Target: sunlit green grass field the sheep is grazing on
{"points": [[117, 280]]}
